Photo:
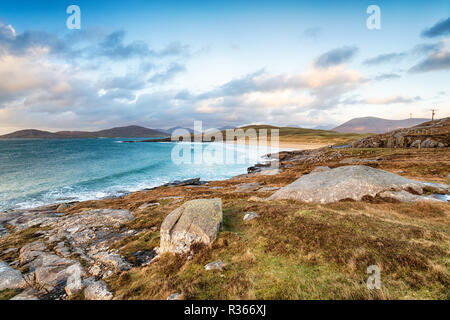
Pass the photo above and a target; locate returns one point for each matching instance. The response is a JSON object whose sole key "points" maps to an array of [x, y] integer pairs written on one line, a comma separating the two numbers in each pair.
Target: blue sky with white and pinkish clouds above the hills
{"points": [[161, 64]]}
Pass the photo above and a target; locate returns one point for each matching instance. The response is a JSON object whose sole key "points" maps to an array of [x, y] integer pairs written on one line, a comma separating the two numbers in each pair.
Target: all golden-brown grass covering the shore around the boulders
{"points": [[293, 250]]}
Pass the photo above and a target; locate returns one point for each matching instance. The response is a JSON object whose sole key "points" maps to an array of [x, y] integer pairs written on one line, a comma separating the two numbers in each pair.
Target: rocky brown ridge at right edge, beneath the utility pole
{"points": [[433, 134]]}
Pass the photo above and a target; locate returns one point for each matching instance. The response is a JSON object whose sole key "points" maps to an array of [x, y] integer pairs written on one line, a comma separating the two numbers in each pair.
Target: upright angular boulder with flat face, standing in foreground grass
{"points": [[195, 221]]}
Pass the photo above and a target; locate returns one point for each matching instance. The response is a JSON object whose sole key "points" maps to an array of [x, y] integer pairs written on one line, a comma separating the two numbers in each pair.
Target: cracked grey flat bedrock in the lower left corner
{"points": [[53, 262]]}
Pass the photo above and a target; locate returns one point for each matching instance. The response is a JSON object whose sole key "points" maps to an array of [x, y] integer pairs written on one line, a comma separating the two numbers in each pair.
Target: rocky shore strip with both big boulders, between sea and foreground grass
{"points": [[82, 250]]}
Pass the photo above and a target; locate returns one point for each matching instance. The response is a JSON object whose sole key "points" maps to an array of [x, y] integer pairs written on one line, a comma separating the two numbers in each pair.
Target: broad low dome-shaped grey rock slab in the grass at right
{"points": [[347, 182]]}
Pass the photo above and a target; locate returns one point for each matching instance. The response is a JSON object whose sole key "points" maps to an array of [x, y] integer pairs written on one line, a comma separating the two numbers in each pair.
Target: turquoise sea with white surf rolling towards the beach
{"points": [[39, 172]]}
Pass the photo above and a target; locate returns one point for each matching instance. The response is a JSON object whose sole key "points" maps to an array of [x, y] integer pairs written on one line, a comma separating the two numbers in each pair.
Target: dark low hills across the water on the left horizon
{"points": [[118, 132]]}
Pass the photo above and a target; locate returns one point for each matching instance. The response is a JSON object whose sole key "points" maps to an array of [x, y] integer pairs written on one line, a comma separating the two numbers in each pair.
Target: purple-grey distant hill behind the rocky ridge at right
{"points": [[376, 125]]}
